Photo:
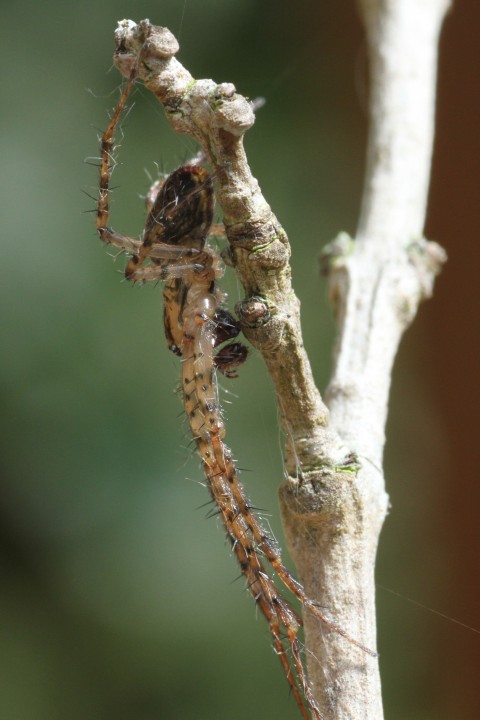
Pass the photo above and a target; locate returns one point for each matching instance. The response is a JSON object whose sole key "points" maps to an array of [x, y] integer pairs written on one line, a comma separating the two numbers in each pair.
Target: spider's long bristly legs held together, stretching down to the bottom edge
{"points": [[203, 412]]}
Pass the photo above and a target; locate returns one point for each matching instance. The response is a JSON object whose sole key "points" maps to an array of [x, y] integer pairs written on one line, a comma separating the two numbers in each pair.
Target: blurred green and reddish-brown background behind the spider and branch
{"points": [[117, 600]]}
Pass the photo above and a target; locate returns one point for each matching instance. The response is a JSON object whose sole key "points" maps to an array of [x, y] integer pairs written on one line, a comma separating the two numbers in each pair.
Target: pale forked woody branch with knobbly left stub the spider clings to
{"points": [[333, 499]]}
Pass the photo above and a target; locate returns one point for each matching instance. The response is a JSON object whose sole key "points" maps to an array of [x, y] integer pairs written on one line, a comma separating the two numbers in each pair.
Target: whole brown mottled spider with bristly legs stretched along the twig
{"points": [[179, 220]]}
